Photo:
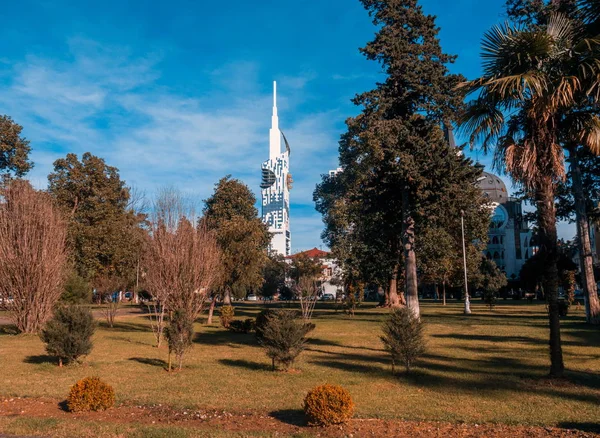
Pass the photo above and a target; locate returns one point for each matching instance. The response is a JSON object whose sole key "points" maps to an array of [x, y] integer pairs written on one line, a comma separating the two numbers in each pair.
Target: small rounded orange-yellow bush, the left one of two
{"points": [[90, 394]]}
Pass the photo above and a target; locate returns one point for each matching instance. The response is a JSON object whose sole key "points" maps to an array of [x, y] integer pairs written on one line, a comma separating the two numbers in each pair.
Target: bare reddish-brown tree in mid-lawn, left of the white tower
{"points": [[181, 261]]}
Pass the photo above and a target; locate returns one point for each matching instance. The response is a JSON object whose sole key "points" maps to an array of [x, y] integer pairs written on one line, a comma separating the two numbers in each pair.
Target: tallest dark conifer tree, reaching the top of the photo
{"points": [[395, 157]]}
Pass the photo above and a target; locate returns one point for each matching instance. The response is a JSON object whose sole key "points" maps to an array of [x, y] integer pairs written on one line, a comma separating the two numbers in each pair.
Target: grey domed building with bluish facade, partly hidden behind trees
{"points": [[509, 243]]}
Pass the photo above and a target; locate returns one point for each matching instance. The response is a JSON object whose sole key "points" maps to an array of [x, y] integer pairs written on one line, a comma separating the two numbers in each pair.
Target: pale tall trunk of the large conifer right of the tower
{"points": [[410, 258]]}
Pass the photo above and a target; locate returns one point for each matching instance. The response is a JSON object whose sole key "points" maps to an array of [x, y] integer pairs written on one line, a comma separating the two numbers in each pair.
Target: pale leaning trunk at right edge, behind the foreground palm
{"points": [[592, 304]]}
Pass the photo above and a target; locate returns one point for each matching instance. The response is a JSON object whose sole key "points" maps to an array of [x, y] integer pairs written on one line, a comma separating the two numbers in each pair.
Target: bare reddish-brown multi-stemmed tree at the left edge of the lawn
{"points": [[33, 255]]}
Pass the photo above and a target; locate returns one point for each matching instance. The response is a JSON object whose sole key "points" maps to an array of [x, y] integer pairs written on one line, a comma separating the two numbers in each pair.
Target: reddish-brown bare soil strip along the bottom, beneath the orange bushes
{"points": [[280, 423]]}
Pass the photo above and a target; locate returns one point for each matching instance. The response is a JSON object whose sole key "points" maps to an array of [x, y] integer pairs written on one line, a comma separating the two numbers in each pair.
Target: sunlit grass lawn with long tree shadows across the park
{"points": [[483, 368]]}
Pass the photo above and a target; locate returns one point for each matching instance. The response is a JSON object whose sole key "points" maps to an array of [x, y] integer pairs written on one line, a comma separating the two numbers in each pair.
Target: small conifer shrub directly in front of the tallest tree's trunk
{"points": [[403, 337]]}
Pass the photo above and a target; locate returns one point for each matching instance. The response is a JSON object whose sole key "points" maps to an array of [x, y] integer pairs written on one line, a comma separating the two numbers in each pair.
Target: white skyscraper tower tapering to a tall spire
{"points": [[275, 187]]}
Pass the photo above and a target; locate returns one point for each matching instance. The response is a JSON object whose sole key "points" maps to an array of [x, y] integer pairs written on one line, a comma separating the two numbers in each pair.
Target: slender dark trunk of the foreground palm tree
{"points": [[546, 212]]}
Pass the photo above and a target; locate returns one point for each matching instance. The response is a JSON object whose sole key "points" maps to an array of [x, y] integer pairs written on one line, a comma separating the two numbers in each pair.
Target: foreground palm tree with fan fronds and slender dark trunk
{"points": [[532, 79]]}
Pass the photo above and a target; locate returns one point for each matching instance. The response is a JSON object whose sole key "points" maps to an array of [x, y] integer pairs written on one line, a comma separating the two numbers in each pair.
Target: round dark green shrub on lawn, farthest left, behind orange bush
{"points": [[68, 335]]}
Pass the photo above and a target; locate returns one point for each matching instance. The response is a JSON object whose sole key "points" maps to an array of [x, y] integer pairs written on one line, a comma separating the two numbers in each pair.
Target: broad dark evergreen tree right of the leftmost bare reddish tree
{"points": [[105, 234]]}
